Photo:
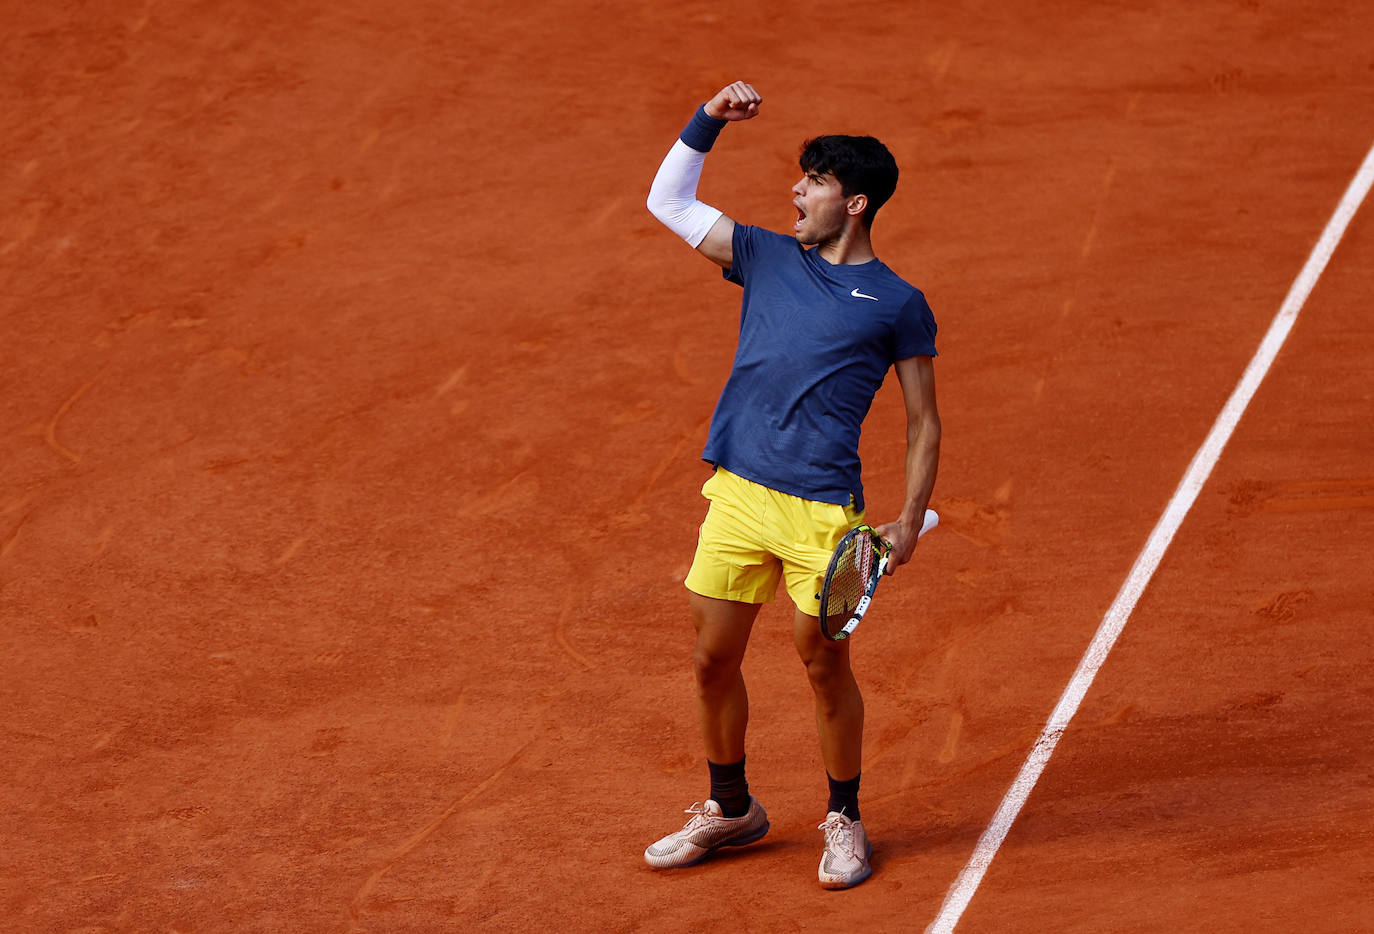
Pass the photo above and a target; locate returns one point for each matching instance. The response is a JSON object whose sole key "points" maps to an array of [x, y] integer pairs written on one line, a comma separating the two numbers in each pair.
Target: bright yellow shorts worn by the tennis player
{"points": [[754, 536]]}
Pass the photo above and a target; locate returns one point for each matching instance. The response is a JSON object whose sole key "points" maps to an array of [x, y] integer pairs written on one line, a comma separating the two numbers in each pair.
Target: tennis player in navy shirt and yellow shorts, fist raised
{"points": [[822, 323]]}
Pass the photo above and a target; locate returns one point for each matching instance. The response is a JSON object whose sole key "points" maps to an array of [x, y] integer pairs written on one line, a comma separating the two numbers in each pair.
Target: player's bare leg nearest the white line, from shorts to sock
{"points": [[839, 700]]}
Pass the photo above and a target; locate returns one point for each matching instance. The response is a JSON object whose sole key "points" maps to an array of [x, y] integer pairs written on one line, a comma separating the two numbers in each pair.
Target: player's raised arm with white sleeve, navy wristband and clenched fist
{"points": [[673, 198]]}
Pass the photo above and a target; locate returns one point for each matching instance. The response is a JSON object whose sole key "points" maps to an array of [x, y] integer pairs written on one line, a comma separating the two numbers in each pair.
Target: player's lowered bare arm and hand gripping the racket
{"points": [[917, 377]]}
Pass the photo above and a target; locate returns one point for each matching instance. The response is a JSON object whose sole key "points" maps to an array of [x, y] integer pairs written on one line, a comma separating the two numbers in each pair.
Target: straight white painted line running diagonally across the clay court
{"points": [[1148, 562]]}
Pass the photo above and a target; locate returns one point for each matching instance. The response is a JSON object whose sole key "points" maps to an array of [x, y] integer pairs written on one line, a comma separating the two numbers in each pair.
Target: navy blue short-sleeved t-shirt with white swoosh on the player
{"points": [[815, 343]]}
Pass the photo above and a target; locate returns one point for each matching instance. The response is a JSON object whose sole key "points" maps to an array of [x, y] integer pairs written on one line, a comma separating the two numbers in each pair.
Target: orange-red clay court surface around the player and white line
{"points": [[352, 407]]}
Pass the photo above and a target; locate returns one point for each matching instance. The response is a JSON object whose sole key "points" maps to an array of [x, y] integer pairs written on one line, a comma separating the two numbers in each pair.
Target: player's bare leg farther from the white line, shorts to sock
{"points": [[723, 630]]}
